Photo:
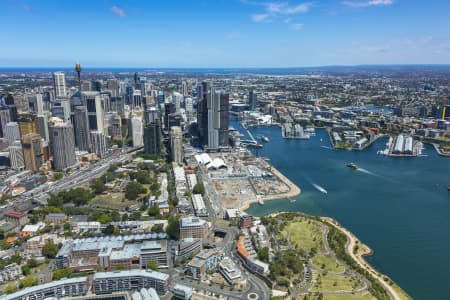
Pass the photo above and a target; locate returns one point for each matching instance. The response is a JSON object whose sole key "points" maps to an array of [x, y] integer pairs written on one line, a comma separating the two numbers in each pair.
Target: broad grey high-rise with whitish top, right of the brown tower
{"points": [[62, 144]]}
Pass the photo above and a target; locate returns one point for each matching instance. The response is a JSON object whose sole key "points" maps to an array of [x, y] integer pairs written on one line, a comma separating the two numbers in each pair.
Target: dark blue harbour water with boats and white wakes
{"points": [[400, 207]]}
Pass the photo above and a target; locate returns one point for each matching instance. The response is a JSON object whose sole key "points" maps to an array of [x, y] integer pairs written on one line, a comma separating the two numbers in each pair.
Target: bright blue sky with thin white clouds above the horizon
{"points": [[223, 33]]}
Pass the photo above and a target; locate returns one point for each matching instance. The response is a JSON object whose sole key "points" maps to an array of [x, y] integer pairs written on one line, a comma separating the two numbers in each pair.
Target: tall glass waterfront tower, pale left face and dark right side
{"points": [[218, 120]]}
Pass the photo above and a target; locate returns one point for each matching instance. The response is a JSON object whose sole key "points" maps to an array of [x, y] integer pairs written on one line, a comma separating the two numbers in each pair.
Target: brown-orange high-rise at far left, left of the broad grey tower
{"points": [[32, 151]]}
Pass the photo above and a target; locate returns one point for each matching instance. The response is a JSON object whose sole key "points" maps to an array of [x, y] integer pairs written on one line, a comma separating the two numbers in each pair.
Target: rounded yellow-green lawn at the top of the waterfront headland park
{"points": [[305, 234]]}
